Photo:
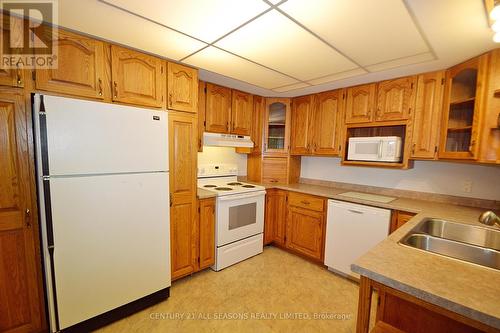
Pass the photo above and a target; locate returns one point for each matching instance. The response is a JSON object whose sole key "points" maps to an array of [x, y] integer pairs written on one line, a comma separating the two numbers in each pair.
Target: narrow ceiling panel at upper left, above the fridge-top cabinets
{"points": [[101, 20]]}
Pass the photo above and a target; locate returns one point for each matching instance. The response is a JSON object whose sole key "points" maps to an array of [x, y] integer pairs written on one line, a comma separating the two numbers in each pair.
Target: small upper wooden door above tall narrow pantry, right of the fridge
{"points": [[182, 88]]}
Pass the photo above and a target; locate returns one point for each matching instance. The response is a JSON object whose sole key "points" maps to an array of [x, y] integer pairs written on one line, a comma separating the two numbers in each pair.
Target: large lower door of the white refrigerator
{"points": [[111, 242]]}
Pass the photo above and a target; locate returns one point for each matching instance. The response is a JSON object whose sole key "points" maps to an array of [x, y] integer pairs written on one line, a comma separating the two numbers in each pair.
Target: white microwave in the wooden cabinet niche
{"points": [[375, 148]]}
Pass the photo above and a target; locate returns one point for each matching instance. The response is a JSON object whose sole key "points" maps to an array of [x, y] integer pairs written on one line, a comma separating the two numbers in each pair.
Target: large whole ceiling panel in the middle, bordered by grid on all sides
{"points": [[276, 42]]}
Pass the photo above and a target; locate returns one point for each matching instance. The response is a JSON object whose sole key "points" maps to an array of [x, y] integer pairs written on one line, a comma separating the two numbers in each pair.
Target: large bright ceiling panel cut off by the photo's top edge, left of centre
{"points": [[203, 19]]}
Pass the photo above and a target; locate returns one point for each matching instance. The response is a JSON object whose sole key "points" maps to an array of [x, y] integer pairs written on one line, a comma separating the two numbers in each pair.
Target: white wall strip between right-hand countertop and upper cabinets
{"points": [[426, 176]]}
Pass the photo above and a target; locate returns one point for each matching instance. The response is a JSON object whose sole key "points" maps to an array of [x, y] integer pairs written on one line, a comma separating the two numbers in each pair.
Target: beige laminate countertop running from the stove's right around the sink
{"points": [[470, 290]]}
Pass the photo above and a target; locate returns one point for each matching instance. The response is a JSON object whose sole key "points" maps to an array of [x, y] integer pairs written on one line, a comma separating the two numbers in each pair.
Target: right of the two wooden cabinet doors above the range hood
{"points": [[241, 113]]}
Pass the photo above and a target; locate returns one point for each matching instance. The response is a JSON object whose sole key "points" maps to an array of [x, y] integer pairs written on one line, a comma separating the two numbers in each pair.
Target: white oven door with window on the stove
{"points": [[239, 216]]}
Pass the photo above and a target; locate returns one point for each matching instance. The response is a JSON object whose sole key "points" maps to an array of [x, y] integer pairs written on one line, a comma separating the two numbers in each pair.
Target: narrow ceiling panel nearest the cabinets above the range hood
{"points": [[222, 62]]}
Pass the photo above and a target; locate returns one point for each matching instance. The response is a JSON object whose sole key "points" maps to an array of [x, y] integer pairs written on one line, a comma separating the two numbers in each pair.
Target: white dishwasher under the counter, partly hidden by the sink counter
{"points": [[352, 230]]}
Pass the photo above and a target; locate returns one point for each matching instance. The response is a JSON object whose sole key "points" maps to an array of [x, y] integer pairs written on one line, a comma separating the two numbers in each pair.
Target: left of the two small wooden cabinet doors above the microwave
{"points": [[360, 102]]}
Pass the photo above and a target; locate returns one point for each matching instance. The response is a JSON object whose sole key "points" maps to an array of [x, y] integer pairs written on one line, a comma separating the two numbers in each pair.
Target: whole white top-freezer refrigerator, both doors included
{"points": [[103, 186]]}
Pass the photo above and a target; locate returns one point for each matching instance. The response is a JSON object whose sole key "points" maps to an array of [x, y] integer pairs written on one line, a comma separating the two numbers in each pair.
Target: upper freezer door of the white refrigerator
{"points": [[86, 137]]}
